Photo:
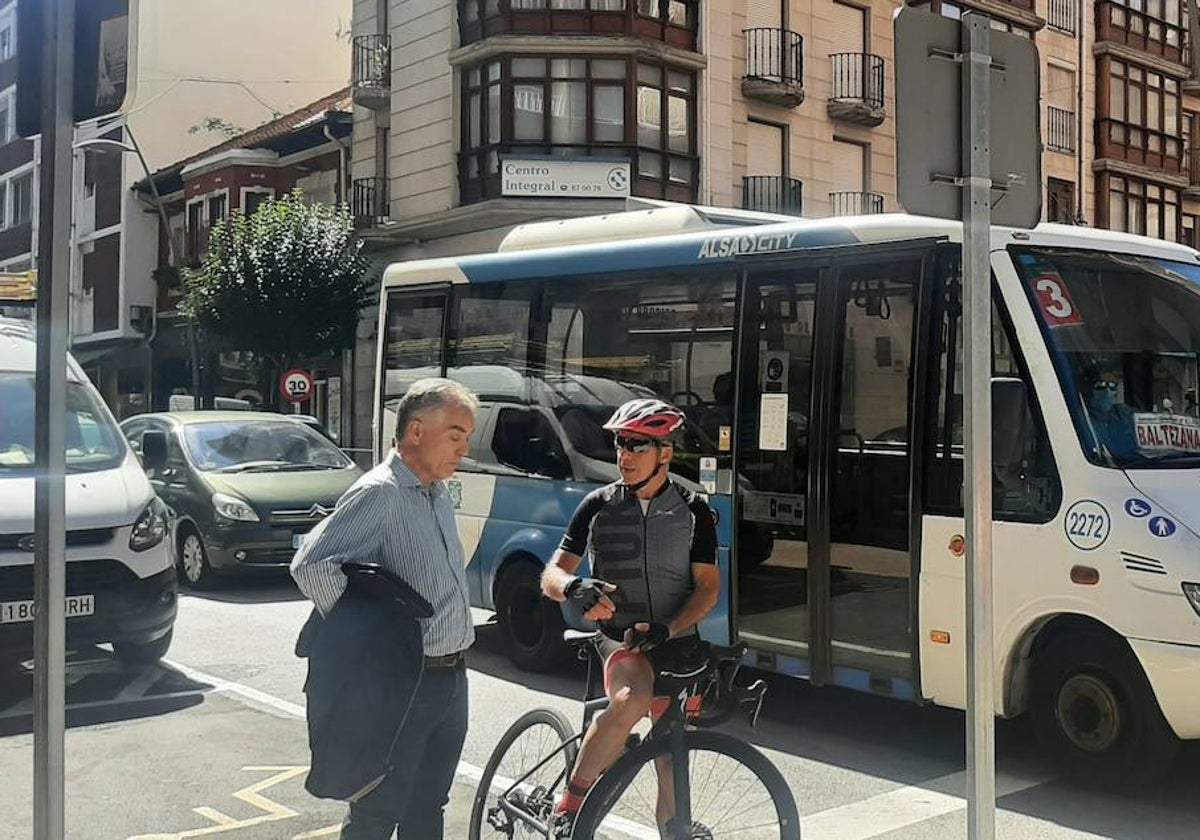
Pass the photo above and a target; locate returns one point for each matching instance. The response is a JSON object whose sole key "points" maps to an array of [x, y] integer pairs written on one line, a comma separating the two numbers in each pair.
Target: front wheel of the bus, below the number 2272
{"points": [[1095, 711]]}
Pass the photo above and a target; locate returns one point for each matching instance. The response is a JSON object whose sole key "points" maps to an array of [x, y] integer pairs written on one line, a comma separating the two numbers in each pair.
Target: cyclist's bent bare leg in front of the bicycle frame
{"points": [[631, 688]]}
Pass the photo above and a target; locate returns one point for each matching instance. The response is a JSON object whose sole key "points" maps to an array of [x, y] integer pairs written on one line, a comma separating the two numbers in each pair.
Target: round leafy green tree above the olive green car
{"points": [[284, 284]]}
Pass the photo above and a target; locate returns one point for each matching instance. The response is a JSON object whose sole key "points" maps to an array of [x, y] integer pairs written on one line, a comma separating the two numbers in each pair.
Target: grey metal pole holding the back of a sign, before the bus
{"points": [[977, 346]]}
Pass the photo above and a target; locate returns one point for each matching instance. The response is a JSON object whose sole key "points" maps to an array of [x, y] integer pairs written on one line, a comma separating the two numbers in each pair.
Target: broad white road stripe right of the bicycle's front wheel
{"points": [[903, 807]]}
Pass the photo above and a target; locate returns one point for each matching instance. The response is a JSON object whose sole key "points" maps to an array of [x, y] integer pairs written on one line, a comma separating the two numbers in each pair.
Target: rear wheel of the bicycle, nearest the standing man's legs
{"points": [[524, 777]]}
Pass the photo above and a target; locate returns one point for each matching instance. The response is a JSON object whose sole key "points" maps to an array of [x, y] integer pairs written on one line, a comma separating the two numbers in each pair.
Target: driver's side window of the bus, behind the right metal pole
{"points": [[1025, 479]]}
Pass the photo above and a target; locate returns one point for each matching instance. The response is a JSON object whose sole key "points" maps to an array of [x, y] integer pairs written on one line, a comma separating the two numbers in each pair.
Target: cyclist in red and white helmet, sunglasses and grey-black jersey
{"points": [[655, 545]]}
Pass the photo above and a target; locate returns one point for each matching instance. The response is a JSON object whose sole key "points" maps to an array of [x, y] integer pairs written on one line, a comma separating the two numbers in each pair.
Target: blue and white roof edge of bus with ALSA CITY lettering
{"points": [[716, 245]]}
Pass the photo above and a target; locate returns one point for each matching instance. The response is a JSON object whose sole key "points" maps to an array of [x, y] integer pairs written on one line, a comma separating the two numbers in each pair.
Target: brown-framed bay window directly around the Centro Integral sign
{"points": [[580, 107]]}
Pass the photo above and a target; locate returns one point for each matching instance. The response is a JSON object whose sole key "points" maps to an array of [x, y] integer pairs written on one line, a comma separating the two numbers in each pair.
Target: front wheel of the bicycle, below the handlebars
{"points": [[735, 793]]}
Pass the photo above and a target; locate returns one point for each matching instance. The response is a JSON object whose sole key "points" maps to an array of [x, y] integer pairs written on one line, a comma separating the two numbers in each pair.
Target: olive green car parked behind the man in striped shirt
{"points": [[247, 487]]}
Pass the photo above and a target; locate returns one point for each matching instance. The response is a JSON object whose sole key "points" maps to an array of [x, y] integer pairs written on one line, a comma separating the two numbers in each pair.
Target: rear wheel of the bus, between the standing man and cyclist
{"points": [[531, 625]]}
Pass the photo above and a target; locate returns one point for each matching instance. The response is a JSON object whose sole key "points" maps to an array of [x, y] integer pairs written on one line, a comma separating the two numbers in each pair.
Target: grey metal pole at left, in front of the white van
{"points": [[50, 496]]}
